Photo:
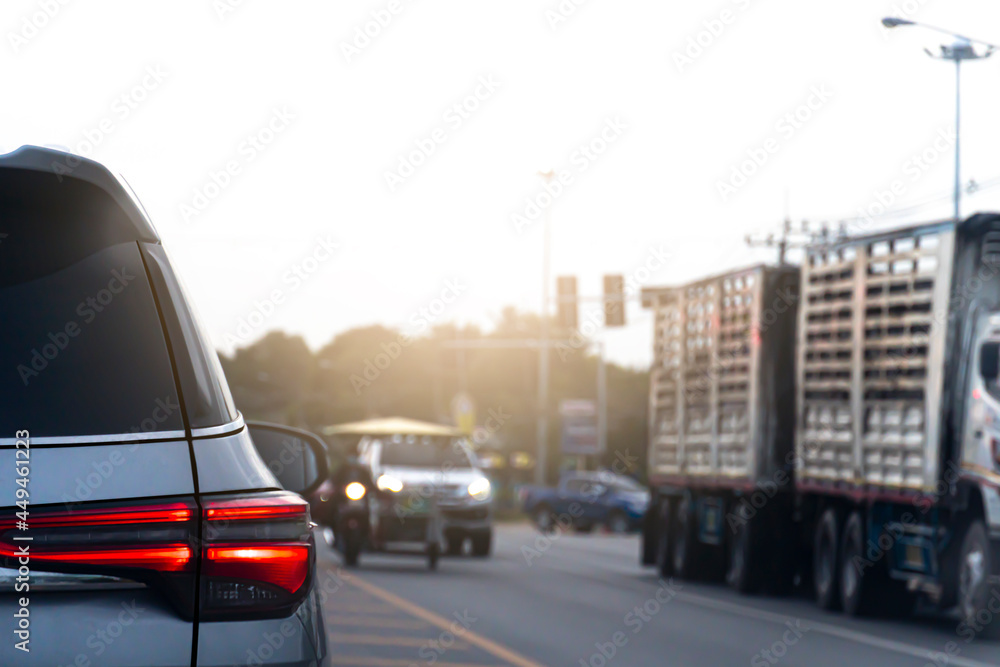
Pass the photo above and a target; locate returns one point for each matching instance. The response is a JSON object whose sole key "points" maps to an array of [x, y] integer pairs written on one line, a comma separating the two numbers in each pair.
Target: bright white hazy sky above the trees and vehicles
{"points": [[308, 118]]}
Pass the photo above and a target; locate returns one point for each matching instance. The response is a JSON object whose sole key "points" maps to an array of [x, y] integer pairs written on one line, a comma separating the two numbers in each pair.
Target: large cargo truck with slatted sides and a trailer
{"points": [[836, 424]]}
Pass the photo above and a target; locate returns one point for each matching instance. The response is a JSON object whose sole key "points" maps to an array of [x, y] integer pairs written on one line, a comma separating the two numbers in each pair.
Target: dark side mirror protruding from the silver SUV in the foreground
{"points": [[296, 457]]}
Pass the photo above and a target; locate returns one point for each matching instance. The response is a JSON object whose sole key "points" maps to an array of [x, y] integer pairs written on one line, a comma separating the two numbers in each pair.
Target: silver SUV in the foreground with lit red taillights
{"points": [[140, 522]]}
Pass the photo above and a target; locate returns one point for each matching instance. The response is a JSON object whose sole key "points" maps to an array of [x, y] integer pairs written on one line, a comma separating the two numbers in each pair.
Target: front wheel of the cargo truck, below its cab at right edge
{"points": [[974, 593]]}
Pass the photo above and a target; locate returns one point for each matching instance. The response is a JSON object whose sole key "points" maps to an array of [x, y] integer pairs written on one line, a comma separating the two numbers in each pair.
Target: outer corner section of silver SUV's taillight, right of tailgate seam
{"points": [[258, 555]]}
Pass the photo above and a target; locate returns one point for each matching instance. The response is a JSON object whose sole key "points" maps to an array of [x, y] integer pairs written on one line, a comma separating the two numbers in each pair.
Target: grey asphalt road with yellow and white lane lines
{"points": [[584, 600]]}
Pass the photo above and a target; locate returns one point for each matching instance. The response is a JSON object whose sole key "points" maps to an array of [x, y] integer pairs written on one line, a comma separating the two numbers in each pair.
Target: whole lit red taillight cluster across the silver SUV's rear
{"points": [[254, 556]]}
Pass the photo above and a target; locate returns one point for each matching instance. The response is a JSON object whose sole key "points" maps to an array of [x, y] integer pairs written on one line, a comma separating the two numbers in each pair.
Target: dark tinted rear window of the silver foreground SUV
{"points": [[82, 351]]}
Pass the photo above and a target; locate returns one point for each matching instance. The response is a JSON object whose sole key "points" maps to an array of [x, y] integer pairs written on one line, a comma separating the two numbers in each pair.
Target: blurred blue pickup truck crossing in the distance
{"points": [[584, 500]]}
